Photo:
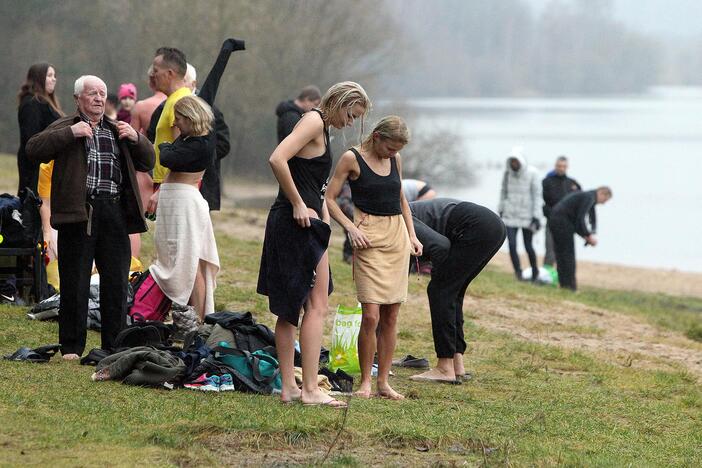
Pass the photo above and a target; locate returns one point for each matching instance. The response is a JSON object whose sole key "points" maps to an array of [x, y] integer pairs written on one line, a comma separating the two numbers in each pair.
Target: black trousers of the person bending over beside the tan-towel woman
{"points": [[476, 234]]}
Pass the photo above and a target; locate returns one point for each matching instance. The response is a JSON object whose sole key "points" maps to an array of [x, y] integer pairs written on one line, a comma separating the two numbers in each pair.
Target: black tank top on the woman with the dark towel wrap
{"points": [[310, 176]]}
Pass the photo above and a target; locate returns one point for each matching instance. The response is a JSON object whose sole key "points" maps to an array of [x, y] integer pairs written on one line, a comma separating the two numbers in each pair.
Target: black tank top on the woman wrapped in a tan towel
{"points": [[375, 194]]}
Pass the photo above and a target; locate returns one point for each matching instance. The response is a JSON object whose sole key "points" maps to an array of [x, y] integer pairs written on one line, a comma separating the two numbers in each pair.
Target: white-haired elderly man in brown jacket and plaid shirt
{"points": [[94, 206]]}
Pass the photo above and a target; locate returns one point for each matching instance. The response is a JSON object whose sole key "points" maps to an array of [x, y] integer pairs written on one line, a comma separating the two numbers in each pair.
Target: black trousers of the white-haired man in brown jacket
{"points": [[108, 245]]}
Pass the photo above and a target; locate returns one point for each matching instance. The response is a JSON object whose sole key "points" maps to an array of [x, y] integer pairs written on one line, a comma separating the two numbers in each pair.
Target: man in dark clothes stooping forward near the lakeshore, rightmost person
{"points": [[568, 218]]}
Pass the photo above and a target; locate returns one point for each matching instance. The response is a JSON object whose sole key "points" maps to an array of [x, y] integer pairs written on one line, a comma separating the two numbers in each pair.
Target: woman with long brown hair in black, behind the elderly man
{"points": [[38, 107]]}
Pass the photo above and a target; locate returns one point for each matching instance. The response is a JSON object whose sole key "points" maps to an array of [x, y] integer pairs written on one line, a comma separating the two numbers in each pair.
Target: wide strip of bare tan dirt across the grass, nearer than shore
{"points": [[618, 338]]}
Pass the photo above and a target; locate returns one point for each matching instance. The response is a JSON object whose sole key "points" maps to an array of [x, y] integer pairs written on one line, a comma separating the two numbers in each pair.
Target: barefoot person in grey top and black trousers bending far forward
{"points": [[459, 238]]}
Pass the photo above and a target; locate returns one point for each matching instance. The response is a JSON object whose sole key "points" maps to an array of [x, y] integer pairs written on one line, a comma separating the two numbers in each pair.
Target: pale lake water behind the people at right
{"points": [[648, 149]]}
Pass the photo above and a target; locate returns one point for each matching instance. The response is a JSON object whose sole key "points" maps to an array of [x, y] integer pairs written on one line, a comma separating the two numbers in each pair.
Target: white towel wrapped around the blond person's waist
{"points": [[183, 237]]}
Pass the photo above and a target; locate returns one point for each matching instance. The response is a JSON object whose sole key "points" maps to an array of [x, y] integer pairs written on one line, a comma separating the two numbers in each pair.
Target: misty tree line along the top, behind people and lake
{"points": [[396, 48]]}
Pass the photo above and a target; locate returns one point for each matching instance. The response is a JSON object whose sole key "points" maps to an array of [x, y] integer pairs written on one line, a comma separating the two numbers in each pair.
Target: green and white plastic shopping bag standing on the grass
{"points": [[344, 350]]}
